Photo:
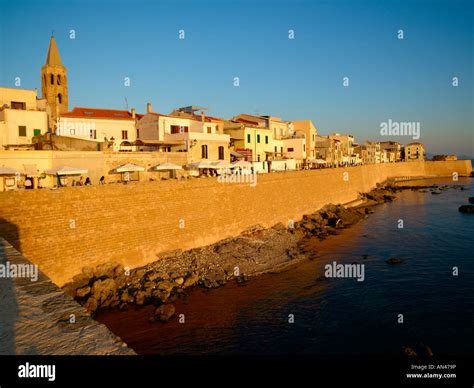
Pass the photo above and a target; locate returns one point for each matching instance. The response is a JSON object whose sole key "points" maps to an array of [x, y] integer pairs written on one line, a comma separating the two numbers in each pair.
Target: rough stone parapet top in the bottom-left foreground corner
{"points": [[38, 318]]}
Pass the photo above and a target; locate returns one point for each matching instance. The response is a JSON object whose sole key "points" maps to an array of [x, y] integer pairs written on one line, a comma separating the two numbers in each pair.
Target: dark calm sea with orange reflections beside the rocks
{"points": [[340, 316]]}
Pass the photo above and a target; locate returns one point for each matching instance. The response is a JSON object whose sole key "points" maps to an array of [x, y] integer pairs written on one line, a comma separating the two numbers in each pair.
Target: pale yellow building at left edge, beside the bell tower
{"points": [[20, 118]]}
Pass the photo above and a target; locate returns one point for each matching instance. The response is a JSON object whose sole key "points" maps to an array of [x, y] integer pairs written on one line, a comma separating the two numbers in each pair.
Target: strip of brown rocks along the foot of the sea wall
{"points": [[256, 251]]}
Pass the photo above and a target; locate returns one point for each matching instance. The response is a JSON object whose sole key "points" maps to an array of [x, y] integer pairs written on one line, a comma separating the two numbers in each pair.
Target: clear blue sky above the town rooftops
{"points": [[402, 80]]}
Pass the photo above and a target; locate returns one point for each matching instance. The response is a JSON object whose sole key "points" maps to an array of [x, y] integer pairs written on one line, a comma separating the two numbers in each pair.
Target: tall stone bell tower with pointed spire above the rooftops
{"points": [[54, 83]]}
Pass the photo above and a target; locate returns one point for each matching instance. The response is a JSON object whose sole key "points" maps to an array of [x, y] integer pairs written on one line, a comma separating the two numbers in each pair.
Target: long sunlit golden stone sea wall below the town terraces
{"points": [[65, 230]]}
